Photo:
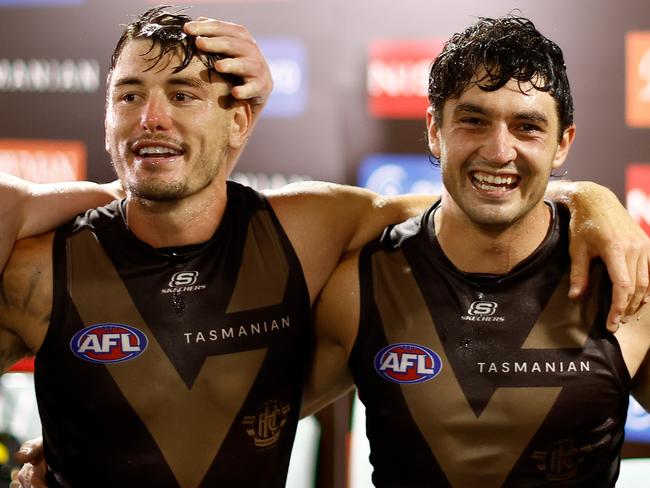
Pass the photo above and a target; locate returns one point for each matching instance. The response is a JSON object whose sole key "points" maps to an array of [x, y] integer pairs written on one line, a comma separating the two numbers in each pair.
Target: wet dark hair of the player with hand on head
{"points": [[163, 26]]}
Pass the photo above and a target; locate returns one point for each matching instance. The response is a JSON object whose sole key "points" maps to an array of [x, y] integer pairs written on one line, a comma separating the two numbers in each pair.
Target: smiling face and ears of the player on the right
{"points": [[497, 150]]}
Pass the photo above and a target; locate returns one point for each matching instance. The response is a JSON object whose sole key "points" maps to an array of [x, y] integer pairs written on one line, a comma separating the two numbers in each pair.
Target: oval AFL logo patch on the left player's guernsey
{"points": [[108, 343]]}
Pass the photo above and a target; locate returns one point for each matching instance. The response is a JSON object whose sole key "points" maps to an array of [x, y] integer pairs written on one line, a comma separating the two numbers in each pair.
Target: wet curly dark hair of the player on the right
{"points": [[504, 48]]}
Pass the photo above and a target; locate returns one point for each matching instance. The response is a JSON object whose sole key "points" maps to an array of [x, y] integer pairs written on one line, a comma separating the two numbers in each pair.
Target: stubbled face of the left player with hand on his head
{"points": [[167, 133]]}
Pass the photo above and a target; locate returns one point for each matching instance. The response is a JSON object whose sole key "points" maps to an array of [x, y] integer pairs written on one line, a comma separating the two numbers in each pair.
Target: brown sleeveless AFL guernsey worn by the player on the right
{"points": [[476, 381]]}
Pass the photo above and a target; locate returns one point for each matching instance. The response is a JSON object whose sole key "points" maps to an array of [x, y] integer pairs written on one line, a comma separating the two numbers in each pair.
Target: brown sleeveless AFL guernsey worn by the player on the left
{"points": [[174, 367]]}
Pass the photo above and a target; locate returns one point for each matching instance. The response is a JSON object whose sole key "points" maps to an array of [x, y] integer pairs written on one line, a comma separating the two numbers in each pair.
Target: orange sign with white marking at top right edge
{"points": [[637, 91]]}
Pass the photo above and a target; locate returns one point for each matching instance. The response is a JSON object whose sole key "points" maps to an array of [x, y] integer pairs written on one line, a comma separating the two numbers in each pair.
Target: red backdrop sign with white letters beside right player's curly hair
{"points": [[398, 77]]}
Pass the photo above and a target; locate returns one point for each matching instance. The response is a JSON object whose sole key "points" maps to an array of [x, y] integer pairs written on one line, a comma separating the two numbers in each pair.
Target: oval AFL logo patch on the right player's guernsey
{"points": [[407, 363]]}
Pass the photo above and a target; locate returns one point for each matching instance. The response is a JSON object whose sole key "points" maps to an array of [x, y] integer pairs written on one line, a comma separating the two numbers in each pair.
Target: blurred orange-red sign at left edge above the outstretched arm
{"points": [[43, 161]]}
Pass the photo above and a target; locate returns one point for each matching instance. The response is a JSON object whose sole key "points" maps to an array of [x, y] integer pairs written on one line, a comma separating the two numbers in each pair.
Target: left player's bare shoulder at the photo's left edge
{"points": [[26, 293]]}
